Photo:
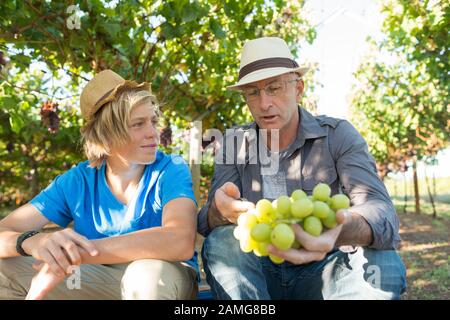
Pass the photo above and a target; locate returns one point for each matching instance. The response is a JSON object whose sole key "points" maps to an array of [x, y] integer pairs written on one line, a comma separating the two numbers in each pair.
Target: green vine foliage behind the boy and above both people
{"points": [[188, 50]]}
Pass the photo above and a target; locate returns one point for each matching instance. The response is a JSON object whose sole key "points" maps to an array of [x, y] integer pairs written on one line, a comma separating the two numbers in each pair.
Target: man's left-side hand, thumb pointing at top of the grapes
{"points": [[228, 204]]}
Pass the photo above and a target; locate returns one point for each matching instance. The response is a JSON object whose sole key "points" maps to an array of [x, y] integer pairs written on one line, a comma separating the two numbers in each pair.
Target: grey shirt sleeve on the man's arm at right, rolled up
{"points": [[368, 195]]}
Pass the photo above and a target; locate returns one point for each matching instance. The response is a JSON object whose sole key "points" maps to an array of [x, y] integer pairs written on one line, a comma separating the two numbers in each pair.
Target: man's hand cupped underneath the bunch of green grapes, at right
{"points": [[313, 248]]}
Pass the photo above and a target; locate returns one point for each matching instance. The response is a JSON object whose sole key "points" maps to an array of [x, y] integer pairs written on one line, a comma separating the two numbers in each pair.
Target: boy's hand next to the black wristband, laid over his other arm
{"points": [[59, 249]]}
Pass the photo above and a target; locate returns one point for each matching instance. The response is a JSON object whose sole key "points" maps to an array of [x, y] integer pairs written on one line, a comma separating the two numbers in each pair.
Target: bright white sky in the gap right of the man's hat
{"points": [[342, 27]]}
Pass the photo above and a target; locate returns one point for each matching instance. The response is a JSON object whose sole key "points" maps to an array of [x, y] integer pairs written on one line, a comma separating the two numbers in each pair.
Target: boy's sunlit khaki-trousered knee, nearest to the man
{"points": [[151, 279]]}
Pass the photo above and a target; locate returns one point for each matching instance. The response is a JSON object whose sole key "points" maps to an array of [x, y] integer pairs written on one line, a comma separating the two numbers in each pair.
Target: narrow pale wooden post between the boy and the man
{"points": [[195, 156]]}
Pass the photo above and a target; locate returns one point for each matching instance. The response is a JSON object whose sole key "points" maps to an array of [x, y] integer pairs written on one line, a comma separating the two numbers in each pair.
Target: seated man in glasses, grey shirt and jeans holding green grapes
{"points": [[355, 260]]}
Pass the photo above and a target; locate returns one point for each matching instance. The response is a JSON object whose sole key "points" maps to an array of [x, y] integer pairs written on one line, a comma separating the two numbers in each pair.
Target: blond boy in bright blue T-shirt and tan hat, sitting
{"points": [[133, 232]]}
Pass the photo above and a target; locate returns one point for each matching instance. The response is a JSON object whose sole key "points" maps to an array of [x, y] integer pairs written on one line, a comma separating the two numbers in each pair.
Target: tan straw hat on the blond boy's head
{"points": [[102, 89]]}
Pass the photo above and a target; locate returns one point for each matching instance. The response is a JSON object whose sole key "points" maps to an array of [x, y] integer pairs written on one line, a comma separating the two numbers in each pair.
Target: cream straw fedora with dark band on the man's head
{"points": [[264, 58]]}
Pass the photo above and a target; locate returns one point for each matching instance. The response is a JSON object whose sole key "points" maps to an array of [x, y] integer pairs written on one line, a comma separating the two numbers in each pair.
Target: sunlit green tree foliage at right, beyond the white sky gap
{"points": [[400, 104]]}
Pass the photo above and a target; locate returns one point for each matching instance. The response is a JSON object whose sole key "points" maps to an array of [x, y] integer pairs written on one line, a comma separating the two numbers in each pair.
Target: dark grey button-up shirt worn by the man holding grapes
{"points": [[337, 155]]}
